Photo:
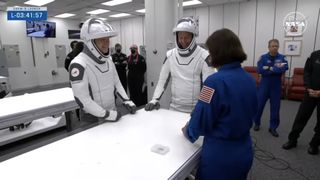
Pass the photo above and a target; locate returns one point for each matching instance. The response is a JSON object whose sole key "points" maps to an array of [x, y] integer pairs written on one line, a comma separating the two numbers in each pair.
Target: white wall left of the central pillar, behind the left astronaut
{"points": [[131, 31]]}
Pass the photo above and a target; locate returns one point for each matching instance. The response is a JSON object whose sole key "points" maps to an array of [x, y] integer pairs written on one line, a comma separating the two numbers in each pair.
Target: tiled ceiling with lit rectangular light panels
{"points": [[80, 7]]}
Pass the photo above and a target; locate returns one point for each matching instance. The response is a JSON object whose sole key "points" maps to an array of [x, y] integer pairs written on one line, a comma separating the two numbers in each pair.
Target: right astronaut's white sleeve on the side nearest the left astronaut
{"points": [[163, 81]]}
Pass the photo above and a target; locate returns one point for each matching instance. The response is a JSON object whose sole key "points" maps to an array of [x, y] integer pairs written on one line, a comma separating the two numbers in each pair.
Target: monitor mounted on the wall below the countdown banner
{"points": [[41, 29]]}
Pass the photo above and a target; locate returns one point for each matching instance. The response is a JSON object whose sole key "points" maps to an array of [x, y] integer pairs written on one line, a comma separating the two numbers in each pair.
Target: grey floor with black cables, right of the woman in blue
{"points": [[271, 162]]}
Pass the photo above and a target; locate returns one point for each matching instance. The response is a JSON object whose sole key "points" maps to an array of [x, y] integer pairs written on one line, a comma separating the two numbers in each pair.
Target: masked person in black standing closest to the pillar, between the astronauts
{"points": [[137, 67]]}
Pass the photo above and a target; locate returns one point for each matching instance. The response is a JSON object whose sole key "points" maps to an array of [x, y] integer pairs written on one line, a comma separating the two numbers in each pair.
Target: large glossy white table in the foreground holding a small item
{"points": [[115, 151]]}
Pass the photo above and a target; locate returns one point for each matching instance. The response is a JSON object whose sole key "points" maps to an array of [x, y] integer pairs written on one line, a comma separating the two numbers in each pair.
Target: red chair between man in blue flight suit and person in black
{"points": [[296, 88]]}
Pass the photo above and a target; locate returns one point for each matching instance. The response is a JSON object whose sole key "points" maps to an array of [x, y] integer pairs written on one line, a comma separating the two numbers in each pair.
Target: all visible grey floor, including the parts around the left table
{"points": [[271, 162]]}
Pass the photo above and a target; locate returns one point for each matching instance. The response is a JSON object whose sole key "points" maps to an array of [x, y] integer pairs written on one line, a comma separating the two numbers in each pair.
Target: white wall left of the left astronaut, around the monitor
{"points": [[28, 75]]}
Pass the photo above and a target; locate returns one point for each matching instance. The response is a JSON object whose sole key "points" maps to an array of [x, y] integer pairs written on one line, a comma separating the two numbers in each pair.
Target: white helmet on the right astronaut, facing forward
{"points": [[186, 24]]}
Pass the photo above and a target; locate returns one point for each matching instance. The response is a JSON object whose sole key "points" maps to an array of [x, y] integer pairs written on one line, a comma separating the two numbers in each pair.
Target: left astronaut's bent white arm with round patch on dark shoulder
{"points": [[80, 87]]}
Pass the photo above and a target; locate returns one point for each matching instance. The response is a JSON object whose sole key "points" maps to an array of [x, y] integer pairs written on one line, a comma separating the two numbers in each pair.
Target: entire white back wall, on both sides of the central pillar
{"points": [[255, 22]]}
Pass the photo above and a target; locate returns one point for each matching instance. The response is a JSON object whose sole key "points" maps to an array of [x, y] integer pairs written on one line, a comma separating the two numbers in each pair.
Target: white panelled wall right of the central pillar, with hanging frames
{"points": [[257, 21]]}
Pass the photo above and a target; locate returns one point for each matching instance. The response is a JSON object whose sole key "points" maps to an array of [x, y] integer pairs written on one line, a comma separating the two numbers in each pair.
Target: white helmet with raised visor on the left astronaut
{"points": [[95, 28]]}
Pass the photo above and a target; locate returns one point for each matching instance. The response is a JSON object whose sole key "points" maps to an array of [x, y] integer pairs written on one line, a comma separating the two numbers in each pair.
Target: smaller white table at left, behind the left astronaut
{"points": [[28, 107]]}
